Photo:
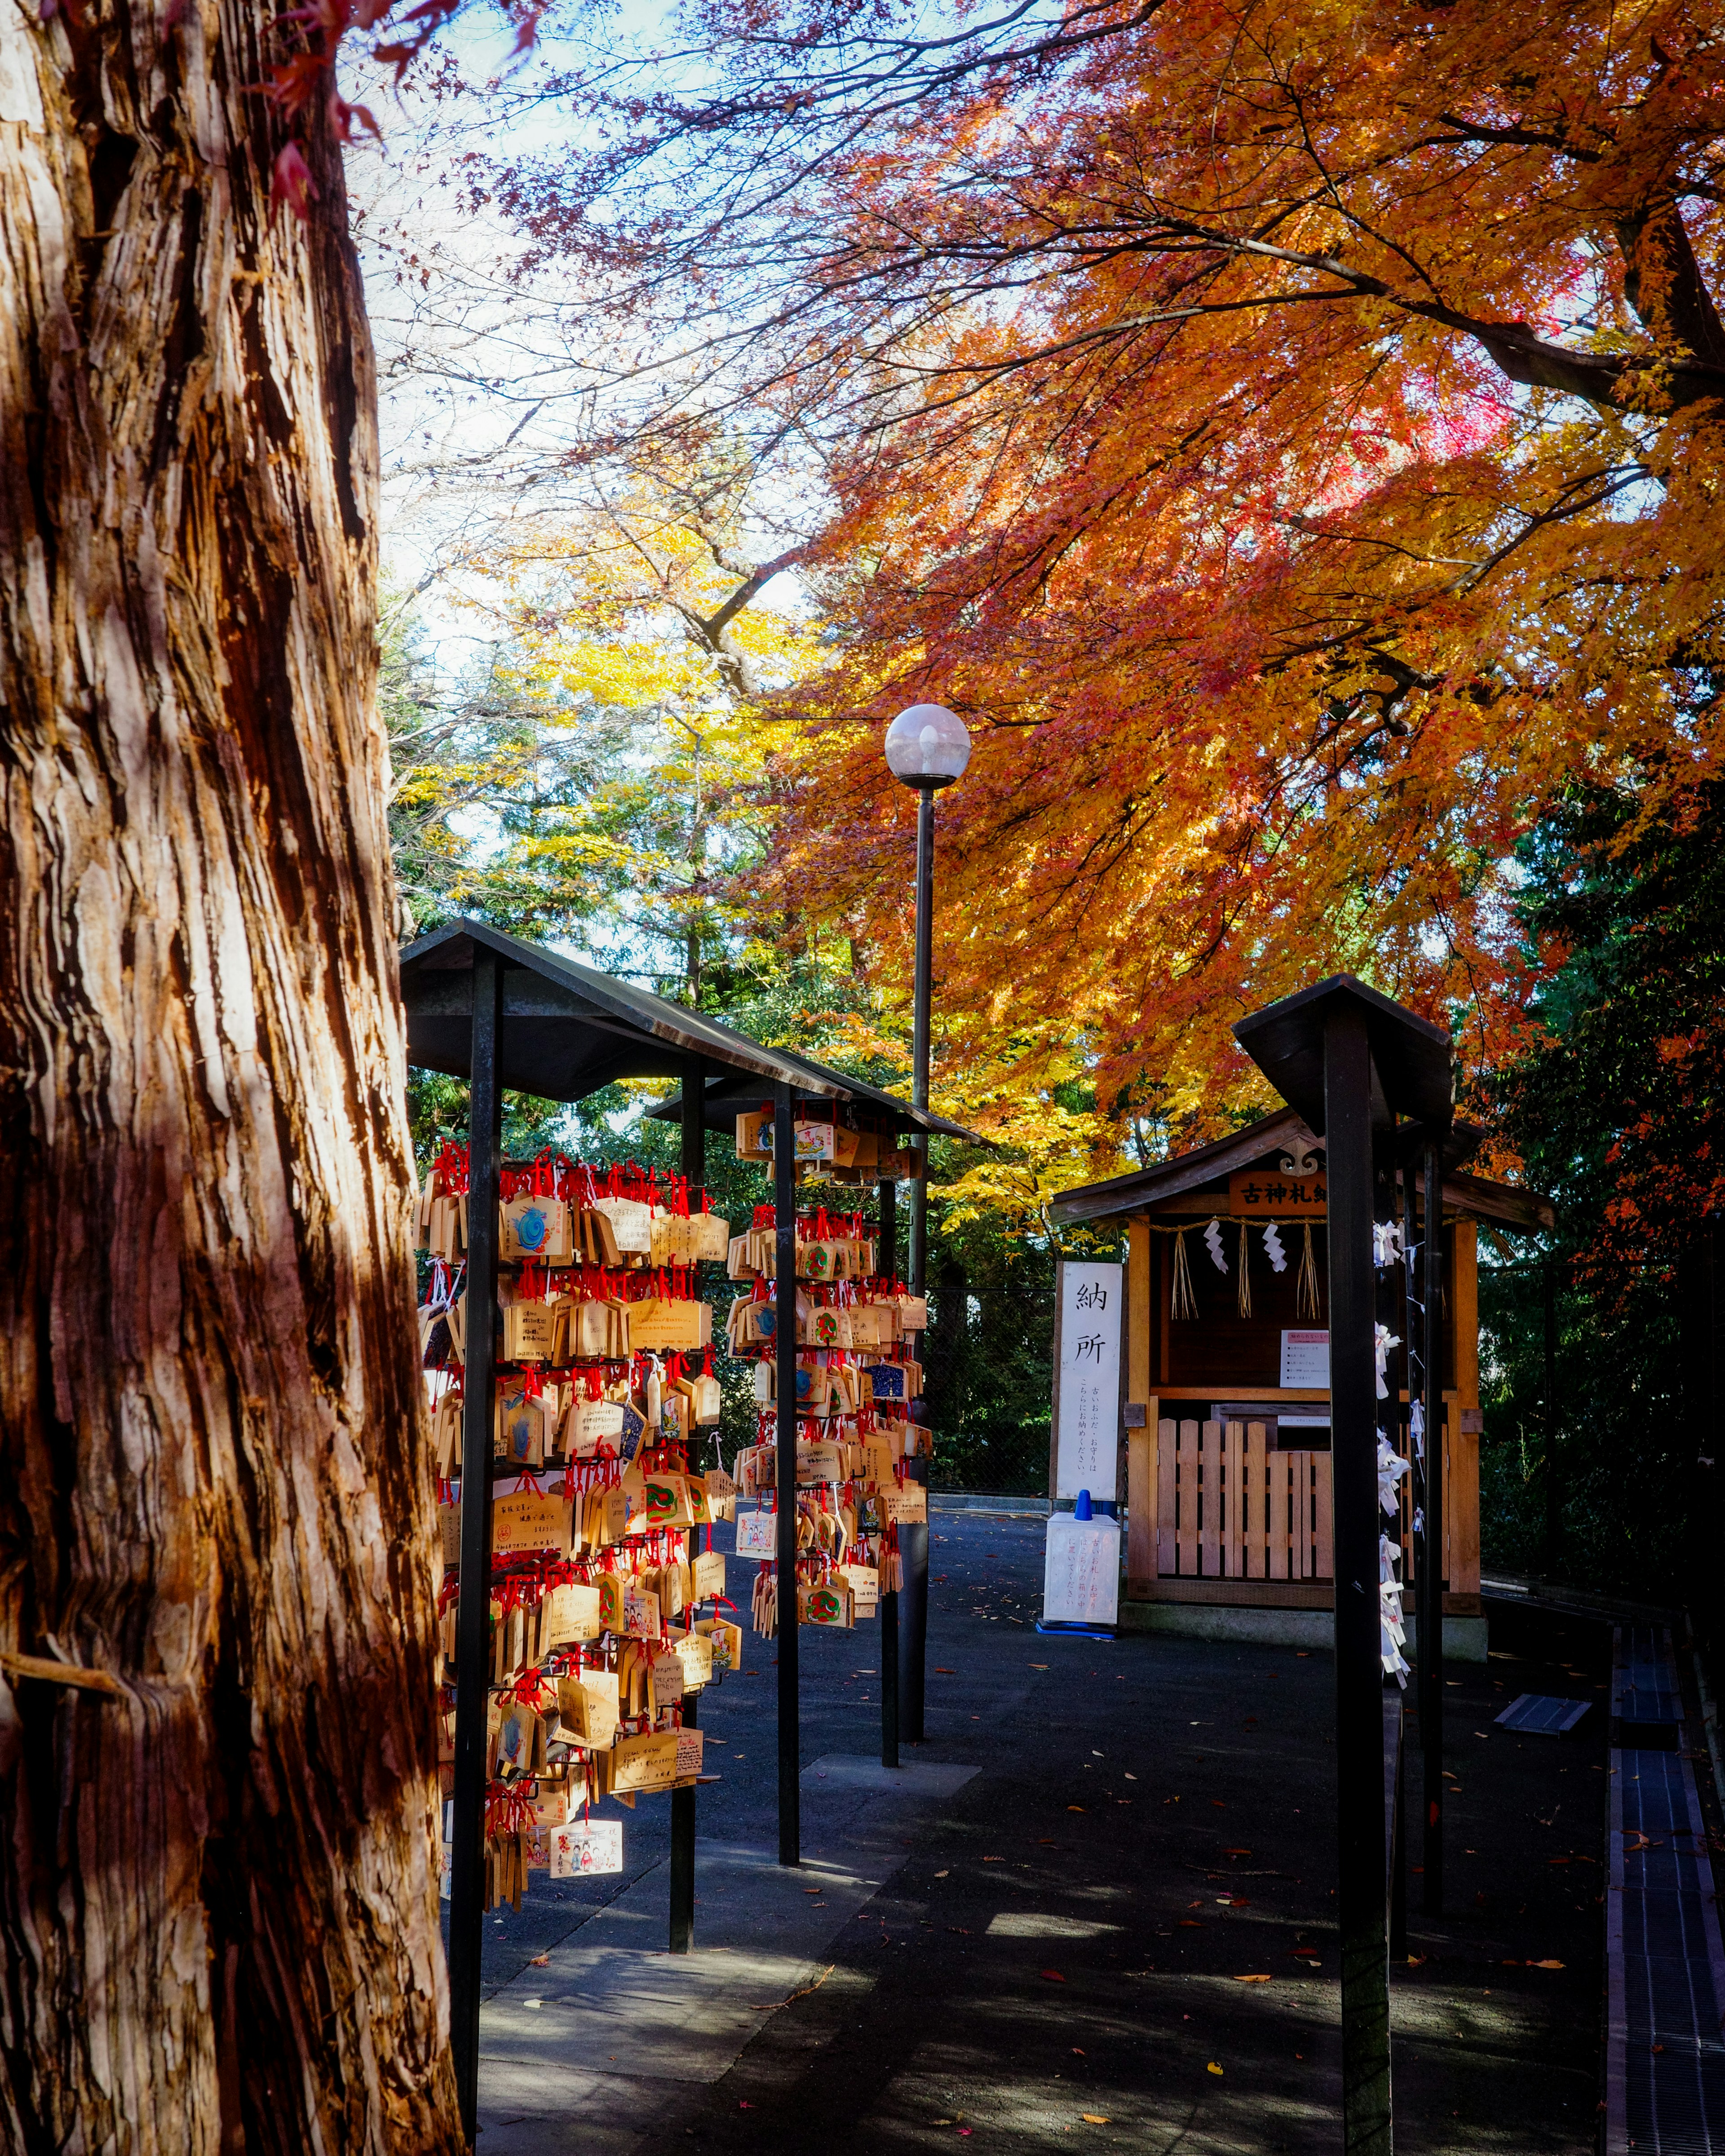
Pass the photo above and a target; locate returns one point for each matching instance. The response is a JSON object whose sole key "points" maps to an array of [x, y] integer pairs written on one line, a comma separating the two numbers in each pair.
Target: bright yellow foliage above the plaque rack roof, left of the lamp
{"points": [[618, 762]]}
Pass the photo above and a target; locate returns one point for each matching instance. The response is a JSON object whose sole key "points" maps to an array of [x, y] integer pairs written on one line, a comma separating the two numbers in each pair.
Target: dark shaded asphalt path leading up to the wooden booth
{"points": [[1122, 1926]]}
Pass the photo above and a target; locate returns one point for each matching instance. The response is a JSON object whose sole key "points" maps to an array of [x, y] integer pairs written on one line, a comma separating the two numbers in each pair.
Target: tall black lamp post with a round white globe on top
{"points": [[926, 749]]}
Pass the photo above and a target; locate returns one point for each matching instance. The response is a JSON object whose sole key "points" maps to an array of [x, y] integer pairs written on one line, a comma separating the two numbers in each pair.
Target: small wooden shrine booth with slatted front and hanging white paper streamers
{"points": [[1226, 1385]]}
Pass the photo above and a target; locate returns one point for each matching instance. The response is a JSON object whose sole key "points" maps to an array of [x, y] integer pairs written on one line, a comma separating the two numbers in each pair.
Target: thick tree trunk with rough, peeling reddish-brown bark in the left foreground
{"points": [[219, 1920]]}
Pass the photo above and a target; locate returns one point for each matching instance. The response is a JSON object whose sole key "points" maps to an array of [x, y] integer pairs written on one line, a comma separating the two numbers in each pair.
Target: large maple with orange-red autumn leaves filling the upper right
{"points": [[1291, 439]]}
